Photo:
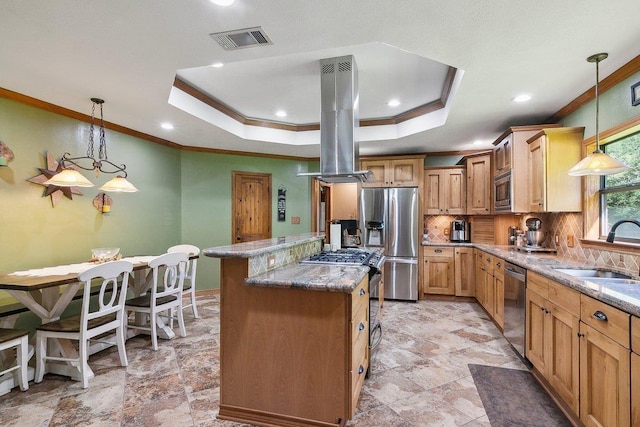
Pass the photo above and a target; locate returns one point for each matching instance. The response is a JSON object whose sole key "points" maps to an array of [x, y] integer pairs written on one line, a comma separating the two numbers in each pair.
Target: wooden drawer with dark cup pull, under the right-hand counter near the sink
{"points": [[614, 323]]}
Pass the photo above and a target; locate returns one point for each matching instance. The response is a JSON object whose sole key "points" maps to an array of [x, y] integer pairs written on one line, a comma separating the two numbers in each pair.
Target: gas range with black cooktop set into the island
{"points": [[374, 260]]}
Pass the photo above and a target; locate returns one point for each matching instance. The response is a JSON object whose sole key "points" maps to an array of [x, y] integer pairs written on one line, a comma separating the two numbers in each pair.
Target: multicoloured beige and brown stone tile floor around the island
{"points": [[420, 375]]}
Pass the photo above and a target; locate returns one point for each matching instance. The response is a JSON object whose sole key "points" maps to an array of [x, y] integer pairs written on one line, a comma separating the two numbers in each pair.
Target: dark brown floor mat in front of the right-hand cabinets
{"points": [[513, 397]]}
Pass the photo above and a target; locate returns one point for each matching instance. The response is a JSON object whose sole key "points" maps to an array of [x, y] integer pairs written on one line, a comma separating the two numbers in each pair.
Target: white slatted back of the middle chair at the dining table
{"points": [[171, 266]]}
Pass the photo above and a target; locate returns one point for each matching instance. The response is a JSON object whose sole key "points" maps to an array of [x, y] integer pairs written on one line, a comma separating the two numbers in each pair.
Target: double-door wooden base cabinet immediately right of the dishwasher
{"points": [[552, 326]]}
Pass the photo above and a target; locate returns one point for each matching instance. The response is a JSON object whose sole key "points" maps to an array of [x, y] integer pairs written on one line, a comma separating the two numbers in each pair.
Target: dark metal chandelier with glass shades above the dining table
{"points": [[70, 177]]}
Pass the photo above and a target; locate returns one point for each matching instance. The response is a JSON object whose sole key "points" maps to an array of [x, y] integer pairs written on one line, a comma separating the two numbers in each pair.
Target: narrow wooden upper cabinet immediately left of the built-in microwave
{"points": [[479, 185]]}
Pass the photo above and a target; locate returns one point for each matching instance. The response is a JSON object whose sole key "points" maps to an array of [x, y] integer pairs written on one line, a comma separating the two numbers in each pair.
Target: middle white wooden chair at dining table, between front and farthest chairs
{"points": [[165, 294]]}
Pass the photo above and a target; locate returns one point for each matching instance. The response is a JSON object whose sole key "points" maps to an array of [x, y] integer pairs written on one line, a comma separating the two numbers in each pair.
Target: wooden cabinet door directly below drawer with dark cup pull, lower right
{"points": [[605, 392]]}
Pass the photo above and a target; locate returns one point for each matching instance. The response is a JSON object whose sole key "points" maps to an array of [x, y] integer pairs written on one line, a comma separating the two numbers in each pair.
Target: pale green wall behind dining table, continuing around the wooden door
{"points": [[185, 196]]}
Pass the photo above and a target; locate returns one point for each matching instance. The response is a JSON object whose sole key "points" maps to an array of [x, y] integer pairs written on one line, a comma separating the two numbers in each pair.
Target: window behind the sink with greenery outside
{"points": [[620, 193]]}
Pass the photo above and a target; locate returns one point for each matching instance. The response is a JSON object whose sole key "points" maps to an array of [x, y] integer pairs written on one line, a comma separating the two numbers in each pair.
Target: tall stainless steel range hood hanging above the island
{"points": [[339, 119]]}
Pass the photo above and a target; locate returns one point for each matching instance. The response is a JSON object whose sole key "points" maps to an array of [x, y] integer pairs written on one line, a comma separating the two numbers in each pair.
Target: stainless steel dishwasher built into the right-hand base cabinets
{"points": [[515, 279]]}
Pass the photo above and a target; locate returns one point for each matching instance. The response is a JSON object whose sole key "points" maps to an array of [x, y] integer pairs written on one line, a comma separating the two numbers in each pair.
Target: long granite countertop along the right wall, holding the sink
{"points": [[623, 296]]}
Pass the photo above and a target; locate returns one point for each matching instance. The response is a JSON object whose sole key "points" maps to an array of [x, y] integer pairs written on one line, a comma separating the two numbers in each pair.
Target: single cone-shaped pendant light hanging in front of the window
{"points": [[598, 163]]}
